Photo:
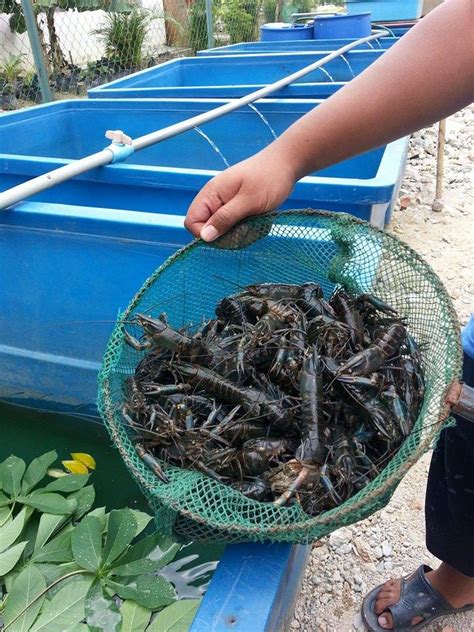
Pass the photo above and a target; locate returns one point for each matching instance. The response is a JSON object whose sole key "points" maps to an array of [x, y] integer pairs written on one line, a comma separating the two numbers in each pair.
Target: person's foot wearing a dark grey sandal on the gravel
{"points": [[413, 602]]}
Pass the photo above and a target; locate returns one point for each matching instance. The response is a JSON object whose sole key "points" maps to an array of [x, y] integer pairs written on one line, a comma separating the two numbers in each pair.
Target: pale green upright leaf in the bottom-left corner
{"points": [[25, 590]]}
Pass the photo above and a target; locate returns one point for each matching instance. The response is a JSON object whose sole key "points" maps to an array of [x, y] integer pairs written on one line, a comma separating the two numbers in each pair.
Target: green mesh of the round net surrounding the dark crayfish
{"points": [[290, 247]]}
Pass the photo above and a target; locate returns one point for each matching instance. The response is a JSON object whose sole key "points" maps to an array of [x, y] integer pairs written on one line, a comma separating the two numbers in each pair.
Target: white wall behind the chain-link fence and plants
{"points": [[75, 32]]}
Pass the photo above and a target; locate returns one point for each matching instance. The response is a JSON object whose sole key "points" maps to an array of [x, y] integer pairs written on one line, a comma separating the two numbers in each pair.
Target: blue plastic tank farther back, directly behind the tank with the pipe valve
{"points": [[229, 76]]}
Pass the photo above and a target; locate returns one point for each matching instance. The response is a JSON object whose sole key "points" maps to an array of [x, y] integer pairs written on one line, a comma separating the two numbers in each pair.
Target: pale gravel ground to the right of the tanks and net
{"points": [[350, 562]]}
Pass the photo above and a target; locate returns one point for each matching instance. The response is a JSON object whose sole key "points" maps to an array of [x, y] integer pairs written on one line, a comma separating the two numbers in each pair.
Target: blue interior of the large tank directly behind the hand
{"points": [[76, 129]]}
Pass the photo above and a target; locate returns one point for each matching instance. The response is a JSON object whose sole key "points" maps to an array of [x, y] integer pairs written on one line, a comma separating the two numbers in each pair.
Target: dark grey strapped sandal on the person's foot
{"points": [[417, 599]]}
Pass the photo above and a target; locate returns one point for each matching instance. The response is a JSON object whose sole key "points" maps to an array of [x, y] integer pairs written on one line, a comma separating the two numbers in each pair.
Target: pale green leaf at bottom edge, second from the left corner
{"points": [[64, 610]]}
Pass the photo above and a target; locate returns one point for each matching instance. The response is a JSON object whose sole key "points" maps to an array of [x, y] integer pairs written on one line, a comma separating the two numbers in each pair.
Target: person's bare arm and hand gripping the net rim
{"points": [[426, 76]]}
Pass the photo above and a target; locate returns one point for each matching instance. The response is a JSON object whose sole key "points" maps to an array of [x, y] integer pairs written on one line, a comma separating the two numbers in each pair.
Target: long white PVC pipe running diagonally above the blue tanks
{"points": [[105, 156]]}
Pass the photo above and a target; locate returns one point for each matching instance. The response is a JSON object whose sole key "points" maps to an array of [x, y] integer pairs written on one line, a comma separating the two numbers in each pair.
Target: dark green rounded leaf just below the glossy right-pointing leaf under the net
{"points": [[150, 591]]}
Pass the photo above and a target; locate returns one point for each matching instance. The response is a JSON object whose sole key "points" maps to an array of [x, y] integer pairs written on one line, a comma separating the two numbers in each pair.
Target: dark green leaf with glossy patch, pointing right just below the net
{"points": [[151, 553]]}
